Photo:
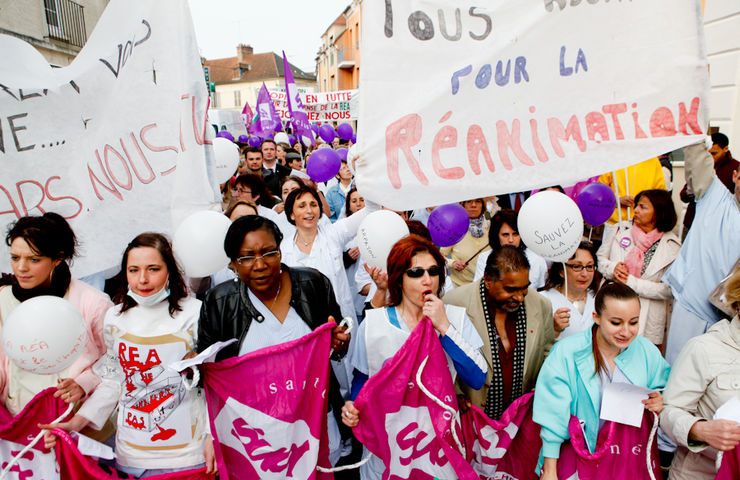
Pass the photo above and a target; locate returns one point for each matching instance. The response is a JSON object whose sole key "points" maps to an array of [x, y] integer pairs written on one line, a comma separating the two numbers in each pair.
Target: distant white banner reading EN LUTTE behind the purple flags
{"points": [[320, 106]]}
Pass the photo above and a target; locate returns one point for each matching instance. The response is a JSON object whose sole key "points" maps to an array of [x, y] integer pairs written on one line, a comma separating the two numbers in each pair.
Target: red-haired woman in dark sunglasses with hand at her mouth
{"points": [[415, 279]]}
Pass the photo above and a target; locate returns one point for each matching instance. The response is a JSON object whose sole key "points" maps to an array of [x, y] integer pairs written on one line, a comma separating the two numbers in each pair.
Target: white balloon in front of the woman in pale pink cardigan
{"points": [[44, 334]]}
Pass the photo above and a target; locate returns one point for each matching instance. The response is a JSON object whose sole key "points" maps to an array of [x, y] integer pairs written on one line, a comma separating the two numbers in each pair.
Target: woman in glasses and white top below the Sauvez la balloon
{"points": [[573, 310]]}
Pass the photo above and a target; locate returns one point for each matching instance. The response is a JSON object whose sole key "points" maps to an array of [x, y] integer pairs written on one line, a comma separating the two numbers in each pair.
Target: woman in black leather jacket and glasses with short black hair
{"points": [[270, 303]]}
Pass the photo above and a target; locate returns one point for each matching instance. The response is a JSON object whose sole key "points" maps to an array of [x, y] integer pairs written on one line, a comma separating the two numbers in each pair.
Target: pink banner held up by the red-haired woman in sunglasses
{"points": [[401, 425]]}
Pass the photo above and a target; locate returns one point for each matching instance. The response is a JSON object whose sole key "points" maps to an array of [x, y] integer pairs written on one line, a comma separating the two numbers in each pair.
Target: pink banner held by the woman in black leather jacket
{"points": [[268, 410]]}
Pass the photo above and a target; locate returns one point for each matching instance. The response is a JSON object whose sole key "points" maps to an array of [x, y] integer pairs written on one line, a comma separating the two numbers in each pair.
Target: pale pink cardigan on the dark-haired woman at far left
{"points": [[93, 304]]}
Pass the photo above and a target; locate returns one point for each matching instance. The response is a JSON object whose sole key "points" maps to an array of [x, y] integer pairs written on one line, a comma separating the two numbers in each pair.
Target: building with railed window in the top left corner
{"points": [[57, 28]]}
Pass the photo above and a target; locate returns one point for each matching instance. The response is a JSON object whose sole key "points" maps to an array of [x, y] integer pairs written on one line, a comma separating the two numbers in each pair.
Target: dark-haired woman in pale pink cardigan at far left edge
{"points": [[40, 249]]}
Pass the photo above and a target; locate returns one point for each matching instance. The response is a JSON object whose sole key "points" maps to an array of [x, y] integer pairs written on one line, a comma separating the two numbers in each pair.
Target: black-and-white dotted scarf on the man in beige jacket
{"points": [[495, 400]]}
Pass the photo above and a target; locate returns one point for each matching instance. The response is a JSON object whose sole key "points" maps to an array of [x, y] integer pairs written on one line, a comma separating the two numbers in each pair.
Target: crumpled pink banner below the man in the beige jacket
{"points": [[508, 448]]}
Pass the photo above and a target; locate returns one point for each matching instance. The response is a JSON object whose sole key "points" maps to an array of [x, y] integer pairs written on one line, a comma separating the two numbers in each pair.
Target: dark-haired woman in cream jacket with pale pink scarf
{"points": [[639, 252]]}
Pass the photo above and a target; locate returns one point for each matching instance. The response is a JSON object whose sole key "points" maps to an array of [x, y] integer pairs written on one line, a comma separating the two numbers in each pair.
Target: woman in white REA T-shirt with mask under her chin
{"points": [[153, 324]]}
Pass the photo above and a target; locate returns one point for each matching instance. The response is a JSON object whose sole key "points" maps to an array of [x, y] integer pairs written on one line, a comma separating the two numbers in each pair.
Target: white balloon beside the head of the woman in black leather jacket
{"points": [[198, 243]]}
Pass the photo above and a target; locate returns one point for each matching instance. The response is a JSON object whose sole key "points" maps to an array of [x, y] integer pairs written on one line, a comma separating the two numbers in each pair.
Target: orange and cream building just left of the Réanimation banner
{"points": [[338, 59]]}
